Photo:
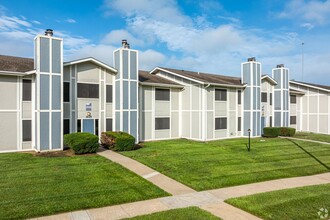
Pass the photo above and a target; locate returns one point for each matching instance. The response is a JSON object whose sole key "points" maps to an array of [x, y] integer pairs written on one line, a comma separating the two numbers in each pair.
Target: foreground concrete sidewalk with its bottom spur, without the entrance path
{"points": [[211, 200]]}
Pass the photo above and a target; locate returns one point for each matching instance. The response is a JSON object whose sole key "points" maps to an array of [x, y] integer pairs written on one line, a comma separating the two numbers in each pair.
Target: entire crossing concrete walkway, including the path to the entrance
{"points": [[183, 196]]}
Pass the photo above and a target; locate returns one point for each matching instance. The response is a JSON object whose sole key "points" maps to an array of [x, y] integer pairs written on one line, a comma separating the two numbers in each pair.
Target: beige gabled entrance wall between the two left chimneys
{"points": [[87, 72]]}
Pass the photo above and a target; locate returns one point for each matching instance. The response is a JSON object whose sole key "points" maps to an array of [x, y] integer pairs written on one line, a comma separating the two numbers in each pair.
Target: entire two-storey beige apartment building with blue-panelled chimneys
{"points": [[44, 98]]}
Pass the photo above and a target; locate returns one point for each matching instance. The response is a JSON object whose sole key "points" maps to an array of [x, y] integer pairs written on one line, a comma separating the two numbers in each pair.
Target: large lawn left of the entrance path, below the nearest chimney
{"points": [[32, 186]]}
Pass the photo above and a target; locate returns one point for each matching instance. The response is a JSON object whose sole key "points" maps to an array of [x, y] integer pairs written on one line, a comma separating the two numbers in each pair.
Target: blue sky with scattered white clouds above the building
{"points": [[206, 36]]}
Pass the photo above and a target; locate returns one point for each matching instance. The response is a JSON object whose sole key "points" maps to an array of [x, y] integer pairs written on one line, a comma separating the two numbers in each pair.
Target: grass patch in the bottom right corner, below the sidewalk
{"points": [[298, 203]]}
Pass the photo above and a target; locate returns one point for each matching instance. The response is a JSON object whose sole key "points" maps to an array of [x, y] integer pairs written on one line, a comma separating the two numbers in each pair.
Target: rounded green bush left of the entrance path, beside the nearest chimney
{"points": [[82, 143]]}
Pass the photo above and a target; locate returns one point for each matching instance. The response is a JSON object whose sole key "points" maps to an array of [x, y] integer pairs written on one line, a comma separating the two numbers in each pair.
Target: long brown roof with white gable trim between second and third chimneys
{"points": [[204, 78]]}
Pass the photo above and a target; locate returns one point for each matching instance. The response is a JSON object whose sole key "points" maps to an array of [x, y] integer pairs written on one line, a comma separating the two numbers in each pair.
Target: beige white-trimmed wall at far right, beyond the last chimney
{"points": [[312, 110]]}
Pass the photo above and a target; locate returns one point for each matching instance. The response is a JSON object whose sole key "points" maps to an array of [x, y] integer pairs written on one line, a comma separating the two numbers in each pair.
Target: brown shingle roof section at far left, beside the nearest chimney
{"points": [[16, 64]]}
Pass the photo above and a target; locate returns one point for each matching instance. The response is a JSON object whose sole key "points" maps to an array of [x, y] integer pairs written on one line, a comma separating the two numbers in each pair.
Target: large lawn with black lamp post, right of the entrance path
{"points": [[225, 163]]}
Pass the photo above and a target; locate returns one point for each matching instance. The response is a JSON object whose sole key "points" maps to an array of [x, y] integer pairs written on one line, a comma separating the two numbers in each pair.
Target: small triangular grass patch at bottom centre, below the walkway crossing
{"points": [[191, 213]]}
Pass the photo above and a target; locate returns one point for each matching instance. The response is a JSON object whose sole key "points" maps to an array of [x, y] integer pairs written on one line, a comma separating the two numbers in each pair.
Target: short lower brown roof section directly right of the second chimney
{"points": [[145, 78]]}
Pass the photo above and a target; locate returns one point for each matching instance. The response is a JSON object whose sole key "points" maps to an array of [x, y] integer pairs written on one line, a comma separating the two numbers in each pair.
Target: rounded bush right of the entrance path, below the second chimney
{"points": [[117, 140]]}
